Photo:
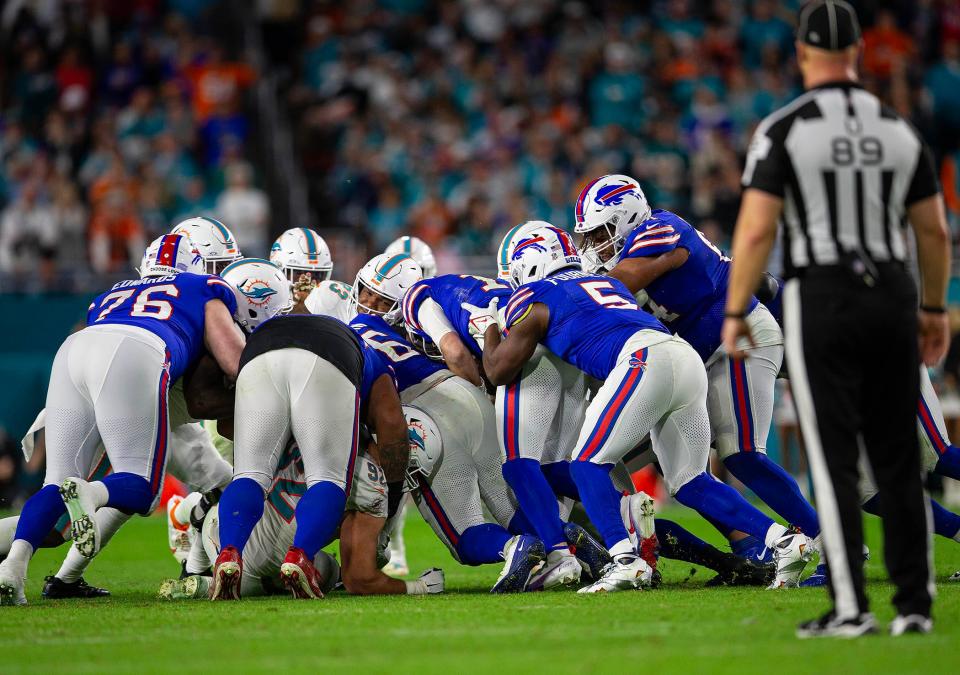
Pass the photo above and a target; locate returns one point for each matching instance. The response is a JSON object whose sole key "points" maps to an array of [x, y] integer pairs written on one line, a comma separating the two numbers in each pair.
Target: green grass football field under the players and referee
{"points": [[681, 627]]}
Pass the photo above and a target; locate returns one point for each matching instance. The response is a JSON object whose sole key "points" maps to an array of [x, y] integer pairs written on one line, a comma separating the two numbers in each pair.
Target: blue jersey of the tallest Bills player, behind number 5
{"points": [[689, 300]]}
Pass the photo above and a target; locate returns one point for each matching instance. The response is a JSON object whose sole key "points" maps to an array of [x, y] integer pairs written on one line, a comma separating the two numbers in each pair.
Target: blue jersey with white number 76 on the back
{"points": [[171, 307]]}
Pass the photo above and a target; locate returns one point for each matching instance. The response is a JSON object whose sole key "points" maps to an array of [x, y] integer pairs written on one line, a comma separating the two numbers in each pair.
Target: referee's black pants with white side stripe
{"points": [[854, 369]]}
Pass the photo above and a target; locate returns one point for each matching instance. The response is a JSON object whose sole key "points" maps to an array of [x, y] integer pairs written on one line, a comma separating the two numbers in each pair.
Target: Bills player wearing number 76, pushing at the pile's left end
{"points": [[110, 382]]}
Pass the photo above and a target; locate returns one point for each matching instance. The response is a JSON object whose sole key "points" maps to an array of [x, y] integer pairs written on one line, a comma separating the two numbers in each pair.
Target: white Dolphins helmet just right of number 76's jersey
{"points": [[261, 289]]}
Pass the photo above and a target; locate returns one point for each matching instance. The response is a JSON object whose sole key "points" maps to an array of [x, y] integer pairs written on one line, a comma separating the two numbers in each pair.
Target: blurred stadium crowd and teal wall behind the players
{"points": [[366, 120]]}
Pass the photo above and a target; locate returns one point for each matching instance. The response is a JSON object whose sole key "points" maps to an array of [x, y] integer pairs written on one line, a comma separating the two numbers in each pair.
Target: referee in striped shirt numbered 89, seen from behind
{"points": [[844, 172]]}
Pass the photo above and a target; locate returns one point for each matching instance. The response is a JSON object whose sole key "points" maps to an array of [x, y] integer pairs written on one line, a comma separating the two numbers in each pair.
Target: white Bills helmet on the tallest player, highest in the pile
{"points": [[607, 210]]}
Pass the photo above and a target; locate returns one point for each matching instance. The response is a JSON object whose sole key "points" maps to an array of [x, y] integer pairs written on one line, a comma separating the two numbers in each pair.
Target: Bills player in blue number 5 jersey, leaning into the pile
{"points": [[653, 382]]}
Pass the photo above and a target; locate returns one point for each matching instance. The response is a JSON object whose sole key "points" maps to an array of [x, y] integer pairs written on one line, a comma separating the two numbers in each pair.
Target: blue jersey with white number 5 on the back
{"points": [[591, 318]]}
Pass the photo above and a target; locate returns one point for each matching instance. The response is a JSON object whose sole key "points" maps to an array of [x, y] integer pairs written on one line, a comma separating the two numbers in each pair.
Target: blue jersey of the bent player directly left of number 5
{"points": [[452, 292]]}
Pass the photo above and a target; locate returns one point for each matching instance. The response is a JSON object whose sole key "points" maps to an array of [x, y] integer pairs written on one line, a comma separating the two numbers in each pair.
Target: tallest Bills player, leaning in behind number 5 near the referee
{"points": [[684, 278]]}
